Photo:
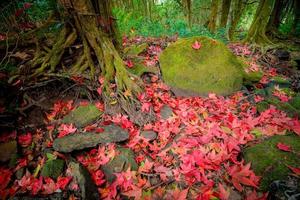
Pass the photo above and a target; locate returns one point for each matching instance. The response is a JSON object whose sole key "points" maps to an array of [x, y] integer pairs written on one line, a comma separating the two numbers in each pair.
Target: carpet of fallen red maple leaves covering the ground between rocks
{"points": [[196, 153]]}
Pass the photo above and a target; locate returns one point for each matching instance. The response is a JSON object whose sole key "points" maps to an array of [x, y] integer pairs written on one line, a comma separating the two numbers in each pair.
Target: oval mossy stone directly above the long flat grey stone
{"points": [[82, 116]]}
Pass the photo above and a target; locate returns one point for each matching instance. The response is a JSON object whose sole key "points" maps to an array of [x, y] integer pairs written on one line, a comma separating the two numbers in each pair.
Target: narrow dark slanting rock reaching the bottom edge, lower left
{"points": [[86, 184]]}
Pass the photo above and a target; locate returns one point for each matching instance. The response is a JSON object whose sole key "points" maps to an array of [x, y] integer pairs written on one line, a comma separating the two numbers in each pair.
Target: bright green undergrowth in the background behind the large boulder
{"points": [[131, 24]]}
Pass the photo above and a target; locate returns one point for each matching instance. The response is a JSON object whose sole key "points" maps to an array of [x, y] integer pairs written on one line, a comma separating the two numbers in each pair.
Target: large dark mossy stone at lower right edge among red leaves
{"points": [[270, 162]]}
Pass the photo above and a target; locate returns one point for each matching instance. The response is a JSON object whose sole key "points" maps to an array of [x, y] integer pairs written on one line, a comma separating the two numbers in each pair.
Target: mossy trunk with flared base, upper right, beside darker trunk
{"points": [[257, 30]]}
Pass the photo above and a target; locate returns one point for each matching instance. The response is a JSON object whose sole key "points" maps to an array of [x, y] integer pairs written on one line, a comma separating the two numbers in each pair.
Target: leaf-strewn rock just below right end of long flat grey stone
{"points": [[120, 163]]}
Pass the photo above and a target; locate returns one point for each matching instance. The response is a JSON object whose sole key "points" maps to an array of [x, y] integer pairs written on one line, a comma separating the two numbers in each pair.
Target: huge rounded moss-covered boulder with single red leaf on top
{"points": [[191, 72]]}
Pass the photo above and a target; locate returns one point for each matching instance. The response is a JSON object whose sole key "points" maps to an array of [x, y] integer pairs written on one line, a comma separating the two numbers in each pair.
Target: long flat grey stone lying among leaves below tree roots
{"points": [[80, 141]]}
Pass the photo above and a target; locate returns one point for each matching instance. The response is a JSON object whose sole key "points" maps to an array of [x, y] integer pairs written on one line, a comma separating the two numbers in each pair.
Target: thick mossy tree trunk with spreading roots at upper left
{"points": [[91, 23]]}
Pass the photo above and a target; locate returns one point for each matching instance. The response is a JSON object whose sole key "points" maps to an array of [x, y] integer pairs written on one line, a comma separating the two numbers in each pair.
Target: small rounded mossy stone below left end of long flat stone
{"points": [[53, 168]]}
